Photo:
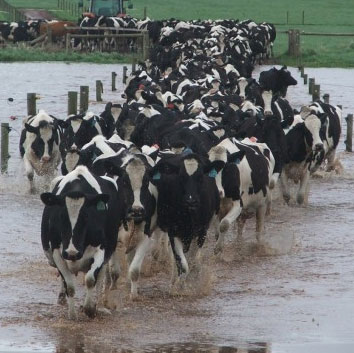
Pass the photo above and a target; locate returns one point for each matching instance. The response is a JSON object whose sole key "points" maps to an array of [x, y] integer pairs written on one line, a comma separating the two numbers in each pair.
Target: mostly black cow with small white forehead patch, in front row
{"points": [[188, 201]]}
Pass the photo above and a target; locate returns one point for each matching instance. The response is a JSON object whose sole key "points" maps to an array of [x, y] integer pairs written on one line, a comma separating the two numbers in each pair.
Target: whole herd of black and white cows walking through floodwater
{"points": [[197, 145]]}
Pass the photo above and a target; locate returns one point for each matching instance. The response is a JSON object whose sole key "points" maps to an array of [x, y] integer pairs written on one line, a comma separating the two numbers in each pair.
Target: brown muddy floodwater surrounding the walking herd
{"points": [[299, 300]]}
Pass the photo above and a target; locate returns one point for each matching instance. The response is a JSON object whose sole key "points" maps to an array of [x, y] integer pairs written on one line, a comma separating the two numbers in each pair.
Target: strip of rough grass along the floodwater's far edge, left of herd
{"points": [[37, 54]]}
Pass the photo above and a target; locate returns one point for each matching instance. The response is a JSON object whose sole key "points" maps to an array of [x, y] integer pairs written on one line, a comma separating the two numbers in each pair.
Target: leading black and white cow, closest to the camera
{"points": [[79, 231]]}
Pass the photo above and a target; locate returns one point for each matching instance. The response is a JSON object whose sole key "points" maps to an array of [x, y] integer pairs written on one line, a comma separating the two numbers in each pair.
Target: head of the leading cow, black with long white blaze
{"points": [[78, 213]]}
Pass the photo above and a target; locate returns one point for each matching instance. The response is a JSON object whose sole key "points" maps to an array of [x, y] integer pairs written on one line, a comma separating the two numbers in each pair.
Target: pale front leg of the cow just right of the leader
{"points": [[135, 266]]}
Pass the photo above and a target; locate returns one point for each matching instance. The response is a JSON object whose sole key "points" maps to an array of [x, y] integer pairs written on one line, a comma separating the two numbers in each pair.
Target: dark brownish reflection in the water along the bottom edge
{"points": [[82, 344]]}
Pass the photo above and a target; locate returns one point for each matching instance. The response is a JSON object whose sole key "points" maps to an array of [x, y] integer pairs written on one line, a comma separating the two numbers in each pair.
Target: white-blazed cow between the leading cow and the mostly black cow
{"points": [[138, 197]]}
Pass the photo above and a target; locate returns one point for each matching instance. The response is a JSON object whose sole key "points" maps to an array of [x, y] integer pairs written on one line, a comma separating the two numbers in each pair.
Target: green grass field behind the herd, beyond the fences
{"points": [[319, 16]]}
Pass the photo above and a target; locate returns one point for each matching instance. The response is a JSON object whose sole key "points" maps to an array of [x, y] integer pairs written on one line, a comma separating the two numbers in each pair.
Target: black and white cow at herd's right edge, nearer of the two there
{"points": [[306, 152]]}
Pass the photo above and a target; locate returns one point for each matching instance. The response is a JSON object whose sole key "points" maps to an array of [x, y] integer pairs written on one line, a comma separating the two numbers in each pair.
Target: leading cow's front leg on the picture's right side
{"points": [[91, 280]]}
